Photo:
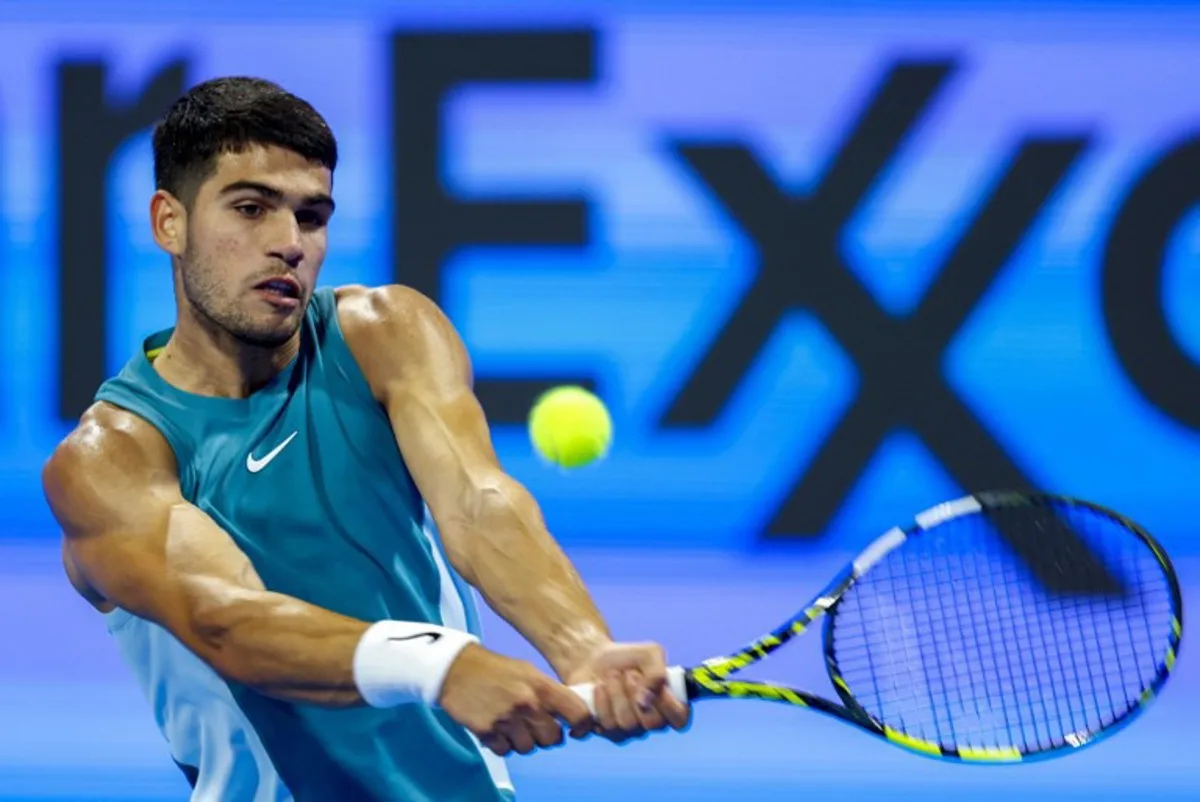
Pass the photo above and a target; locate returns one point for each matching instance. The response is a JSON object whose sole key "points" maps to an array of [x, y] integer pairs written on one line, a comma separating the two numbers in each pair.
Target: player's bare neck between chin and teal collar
{"points": [[205, 360]]}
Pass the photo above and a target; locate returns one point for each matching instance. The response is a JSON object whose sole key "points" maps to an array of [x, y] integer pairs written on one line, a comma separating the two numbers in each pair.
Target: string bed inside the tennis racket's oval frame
{"points": [[952, 639]]}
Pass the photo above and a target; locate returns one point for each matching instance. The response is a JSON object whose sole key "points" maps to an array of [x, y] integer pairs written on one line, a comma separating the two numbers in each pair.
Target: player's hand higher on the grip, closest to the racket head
{"points": [[632, 693]]}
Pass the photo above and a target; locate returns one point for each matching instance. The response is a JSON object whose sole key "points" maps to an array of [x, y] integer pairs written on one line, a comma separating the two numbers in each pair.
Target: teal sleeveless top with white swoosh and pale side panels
{"points": [[308, 480]]}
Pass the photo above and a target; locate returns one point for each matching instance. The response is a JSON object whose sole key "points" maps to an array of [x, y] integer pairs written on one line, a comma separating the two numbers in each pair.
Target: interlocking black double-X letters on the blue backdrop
{"points": [[899, 360]]}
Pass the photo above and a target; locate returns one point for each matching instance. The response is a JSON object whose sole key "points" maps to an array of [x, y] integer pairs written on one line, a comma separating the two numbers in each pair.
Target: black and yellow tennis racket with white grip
{"points": [[997, 629]]}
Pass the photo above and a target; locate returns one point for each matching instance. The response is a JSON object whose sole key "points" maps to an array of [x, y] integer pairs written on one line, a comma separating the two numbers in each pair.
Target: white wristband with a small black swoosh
{"points": [[405, 662]]}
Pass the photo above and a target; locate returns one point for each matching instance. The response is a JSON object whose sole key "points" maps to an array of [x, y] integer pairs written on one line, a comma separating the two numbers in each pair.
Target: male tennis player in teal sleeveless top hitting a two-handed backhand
{"points": [[281, 502]]}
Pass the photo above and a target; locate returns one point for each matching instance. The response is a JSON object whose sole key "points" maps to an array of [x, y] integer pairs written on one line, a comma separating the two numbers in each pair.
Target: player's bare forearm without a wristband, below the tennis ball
{"points": [[506, 552]]}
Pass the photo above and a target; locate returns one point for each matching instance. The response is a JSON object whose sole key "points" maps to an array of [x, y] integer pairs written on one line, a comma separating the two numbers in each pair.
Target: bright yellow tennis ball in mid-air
{"points": [[571, 427]]}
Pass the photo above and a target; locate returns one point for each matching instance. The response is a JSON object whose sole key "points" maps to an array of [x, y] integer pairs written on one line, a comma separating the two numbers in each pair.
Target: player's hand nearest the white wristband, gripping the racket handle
{"points": [[511, 705]]}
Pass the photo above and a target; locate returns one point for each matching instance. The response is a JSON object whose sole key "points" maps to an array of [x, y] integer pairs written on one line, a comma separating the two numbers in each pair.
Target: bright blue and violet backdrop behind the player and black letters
{"points": [[665, 530]]}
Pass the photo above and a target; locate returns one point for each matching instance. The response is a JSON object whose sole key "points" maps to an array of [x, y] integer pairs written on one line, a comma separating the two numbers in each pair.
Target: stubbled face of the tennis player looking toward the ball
{"points": [[256, 241]]}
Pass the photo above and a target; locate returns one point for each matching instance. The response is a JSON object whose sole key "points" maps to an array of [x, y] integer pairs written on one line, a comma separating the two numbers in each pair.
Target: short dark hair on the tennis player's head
{"points": [[230, 116]]}
